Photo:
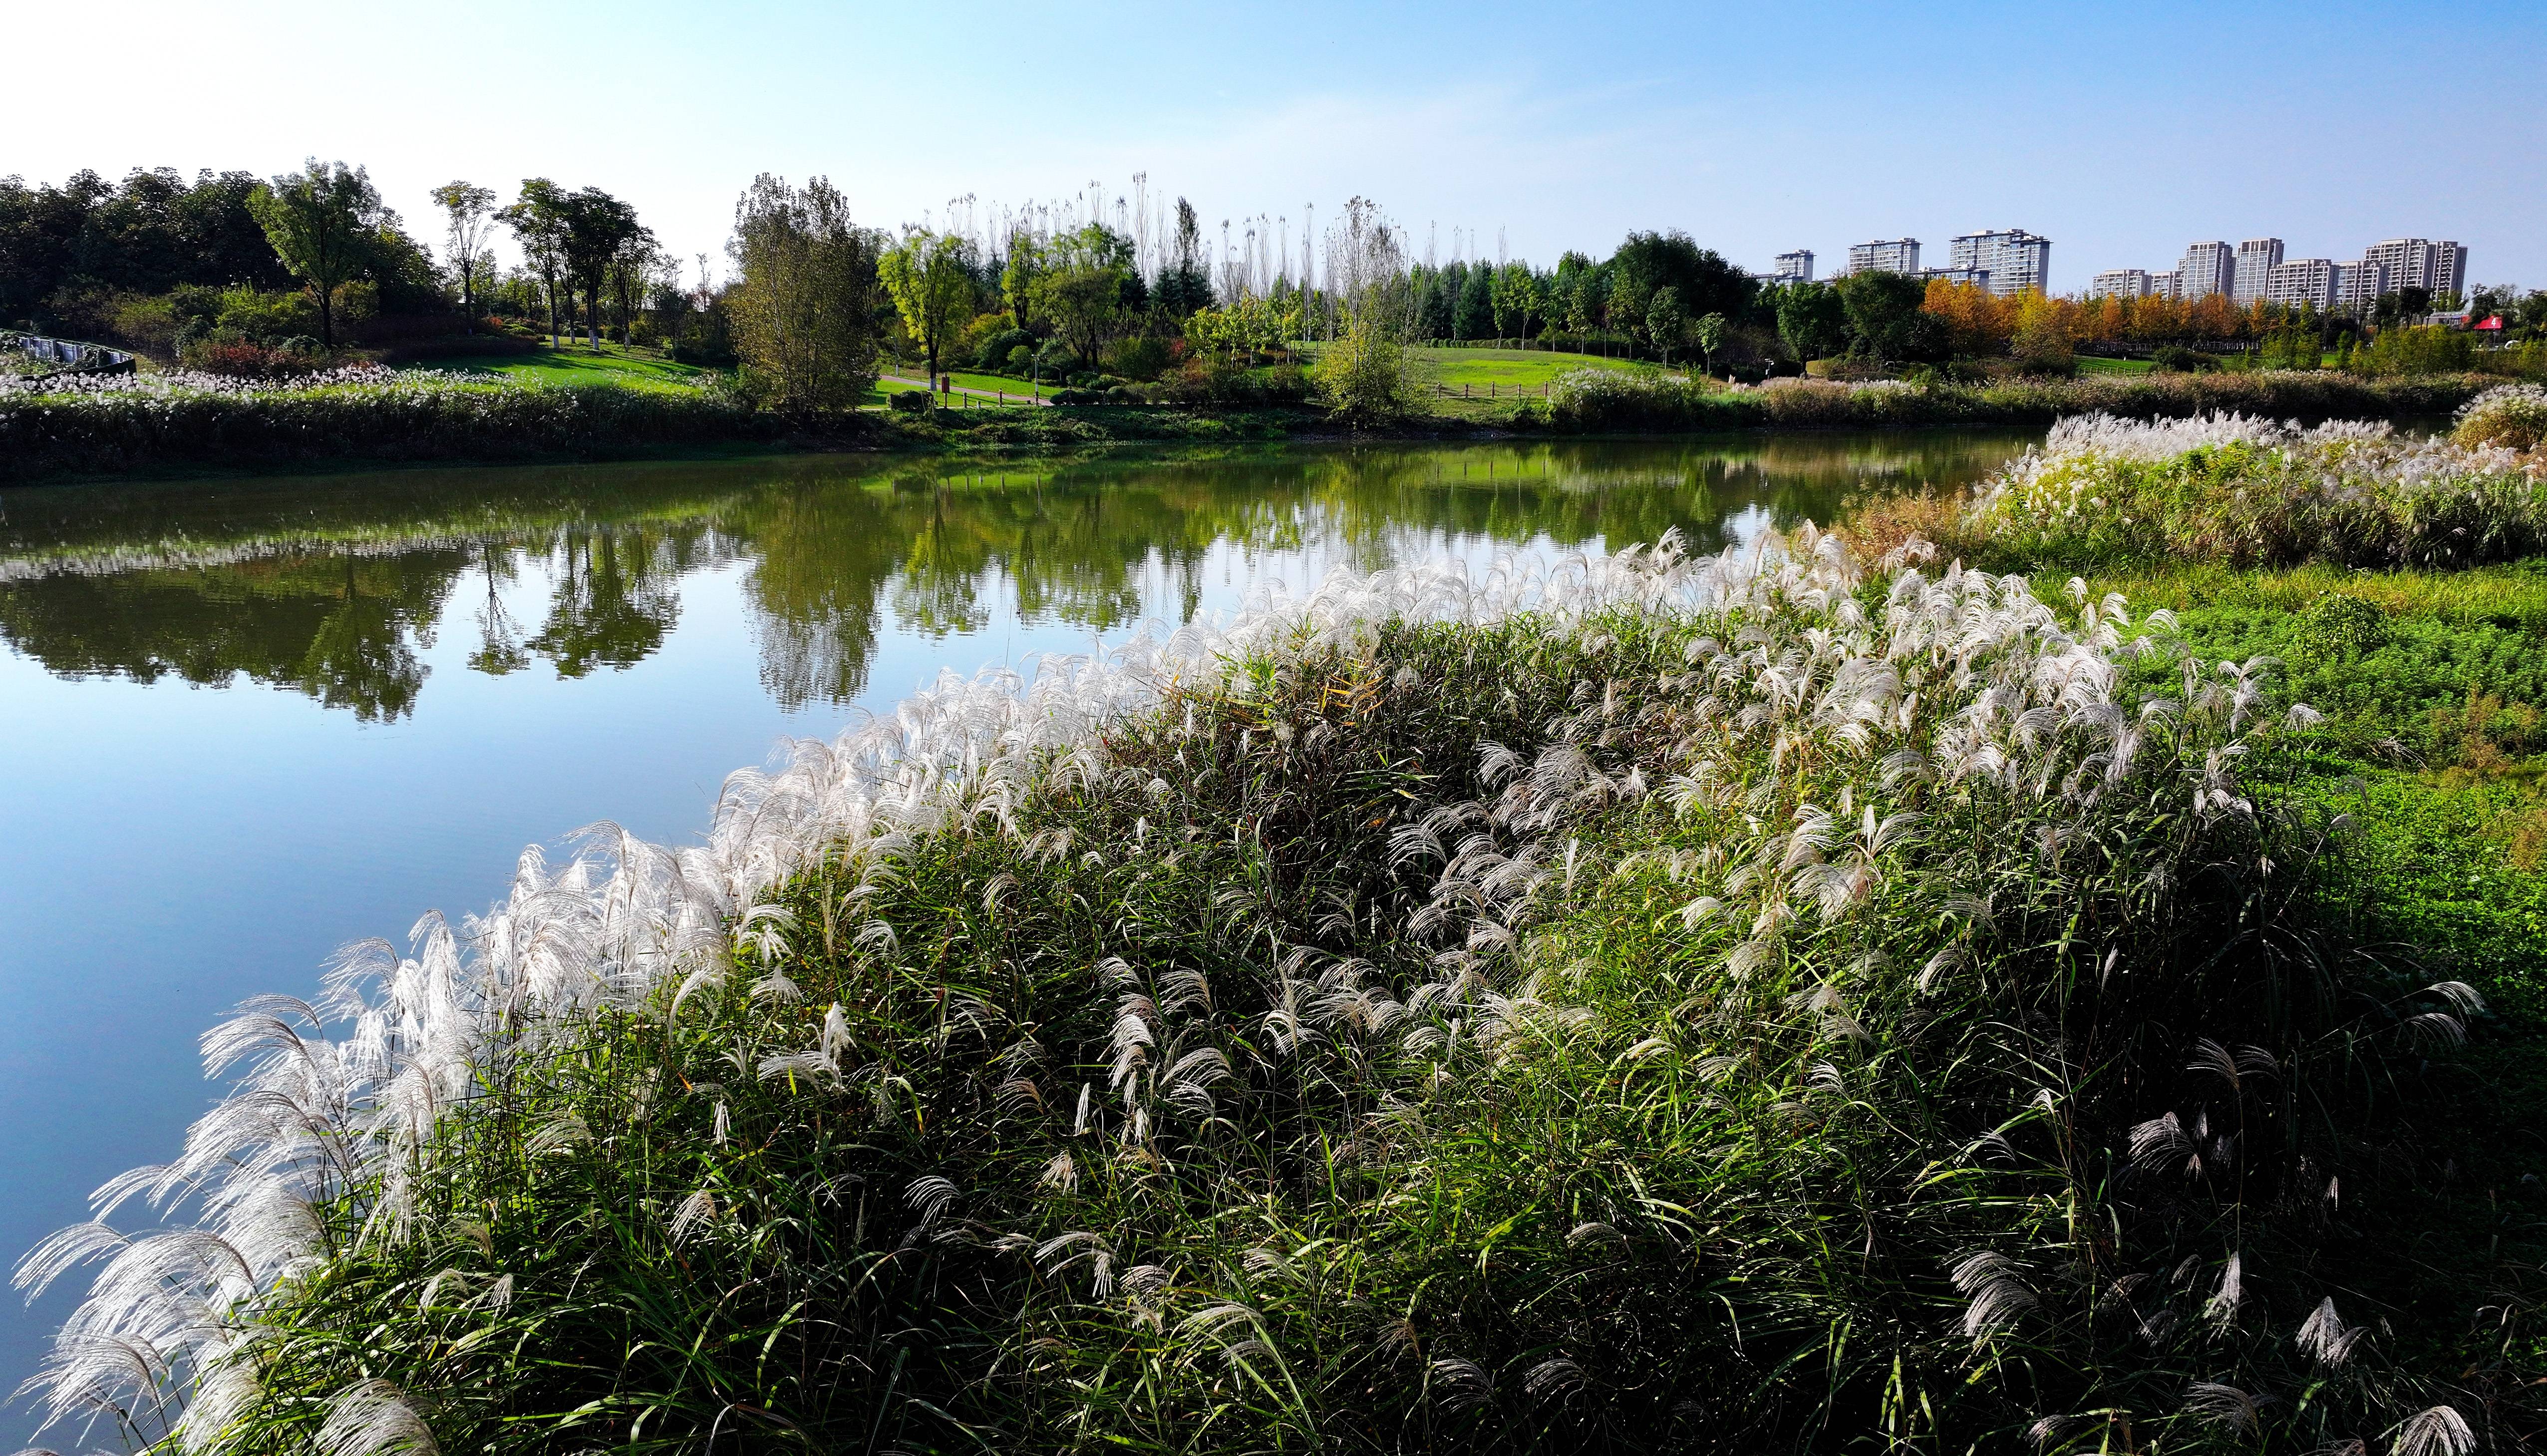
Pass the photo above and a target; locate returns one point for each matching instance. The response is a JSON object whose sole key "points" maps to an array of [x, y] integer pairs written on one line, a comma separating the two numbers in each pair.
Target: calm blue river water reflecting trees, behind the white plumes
{"points": [[248, 722]]}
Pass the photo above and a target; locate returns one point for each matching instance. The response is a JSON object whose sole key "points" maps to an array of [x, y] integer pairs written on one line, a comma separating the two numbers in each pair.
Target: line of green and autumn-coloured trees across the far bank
{"points": [[233, 269]]}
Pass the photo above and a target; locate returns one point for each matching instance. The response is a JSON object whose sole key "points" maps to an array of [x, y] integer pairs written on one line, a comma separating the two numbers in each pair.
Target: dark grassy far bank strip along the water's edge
{"points": [[455, 419]]}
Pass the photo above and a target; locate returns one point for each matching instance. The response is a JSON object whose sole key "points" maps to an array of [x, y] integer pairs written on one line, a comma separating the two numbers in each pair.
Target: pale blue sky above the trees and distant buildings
{"points": [[2120, 131]]}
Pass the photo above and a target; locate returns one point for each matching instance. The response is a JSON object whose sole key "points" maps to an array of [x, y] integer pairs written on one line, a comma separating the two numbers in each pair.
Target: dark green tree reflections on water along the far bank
{"points": [[330, 587]]}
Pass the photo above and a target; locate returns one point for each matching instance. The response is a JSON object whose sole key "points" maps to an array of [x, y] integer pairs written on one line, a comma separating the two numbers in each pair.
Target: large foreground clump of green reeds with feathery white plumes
{"points": [[1726, 1004]]}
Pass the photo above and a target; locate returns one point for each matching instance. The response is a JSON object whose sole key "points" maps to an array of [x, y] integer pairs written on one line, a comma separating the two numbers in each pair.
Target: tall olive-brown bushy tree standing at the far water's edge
{"points": [[806, 304]]}
